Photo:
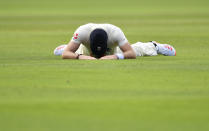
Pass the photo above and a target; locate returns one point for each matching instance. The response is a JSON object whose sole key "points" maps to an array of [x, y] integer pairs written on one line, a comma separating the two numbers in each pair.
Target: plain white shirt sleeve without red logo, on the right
{"points": [[120, 37]]}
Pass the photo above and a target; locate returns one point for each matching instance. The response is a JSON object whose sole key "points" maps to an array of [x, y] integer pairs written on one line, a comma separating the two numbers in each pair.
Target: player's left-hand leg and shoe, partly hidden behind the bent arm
{"points": [[81, 50]]}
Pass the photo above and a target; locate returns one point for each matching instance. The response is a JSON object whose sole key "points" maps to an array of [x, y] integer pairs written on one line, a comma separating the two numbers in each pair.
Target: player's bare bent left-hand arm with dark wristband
{"points": [[69, 52]]}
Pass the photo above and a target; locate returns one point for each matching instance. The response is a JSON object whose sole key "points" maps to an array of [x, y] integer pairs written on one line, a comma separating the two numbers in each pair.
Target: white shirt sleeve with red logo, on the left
{"points": [[79, 35]]}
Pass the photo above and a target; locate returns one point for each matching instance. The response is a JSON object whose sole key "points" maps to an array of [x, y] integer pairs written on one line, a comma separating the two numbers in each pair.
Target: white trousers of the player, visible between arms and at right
{"points": [[140, 48]]}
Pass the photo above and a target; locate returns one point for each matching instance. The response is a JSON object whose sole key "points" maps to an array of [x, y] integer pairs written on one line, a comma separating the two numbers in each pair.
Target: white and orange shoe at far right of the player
{"points": [[164, 49]]}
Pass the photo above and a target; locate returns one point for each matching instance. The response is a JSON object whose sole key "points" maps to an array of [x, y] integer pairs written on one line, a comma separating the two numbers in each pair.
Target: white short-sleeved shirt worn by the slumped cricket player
{"points": [[115, 36]]}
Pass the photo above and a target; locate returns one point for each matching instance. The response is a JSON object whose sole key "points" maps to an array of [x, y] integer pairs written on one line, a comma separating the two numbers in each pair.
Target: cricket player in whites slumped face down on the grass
{"points": [[105, 41]]}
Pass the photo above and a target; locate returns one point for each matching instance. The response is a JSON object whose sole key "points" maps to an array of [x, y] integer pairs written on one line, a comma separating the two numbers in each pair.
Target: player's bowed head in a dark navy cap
{"points": [[98, 42]]}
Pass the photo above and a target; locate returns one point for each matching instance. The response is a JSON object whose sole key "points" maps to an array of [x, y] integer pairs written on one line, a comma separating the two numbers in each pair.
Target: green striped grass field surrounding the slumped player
{"points": [[42, 92]]}
